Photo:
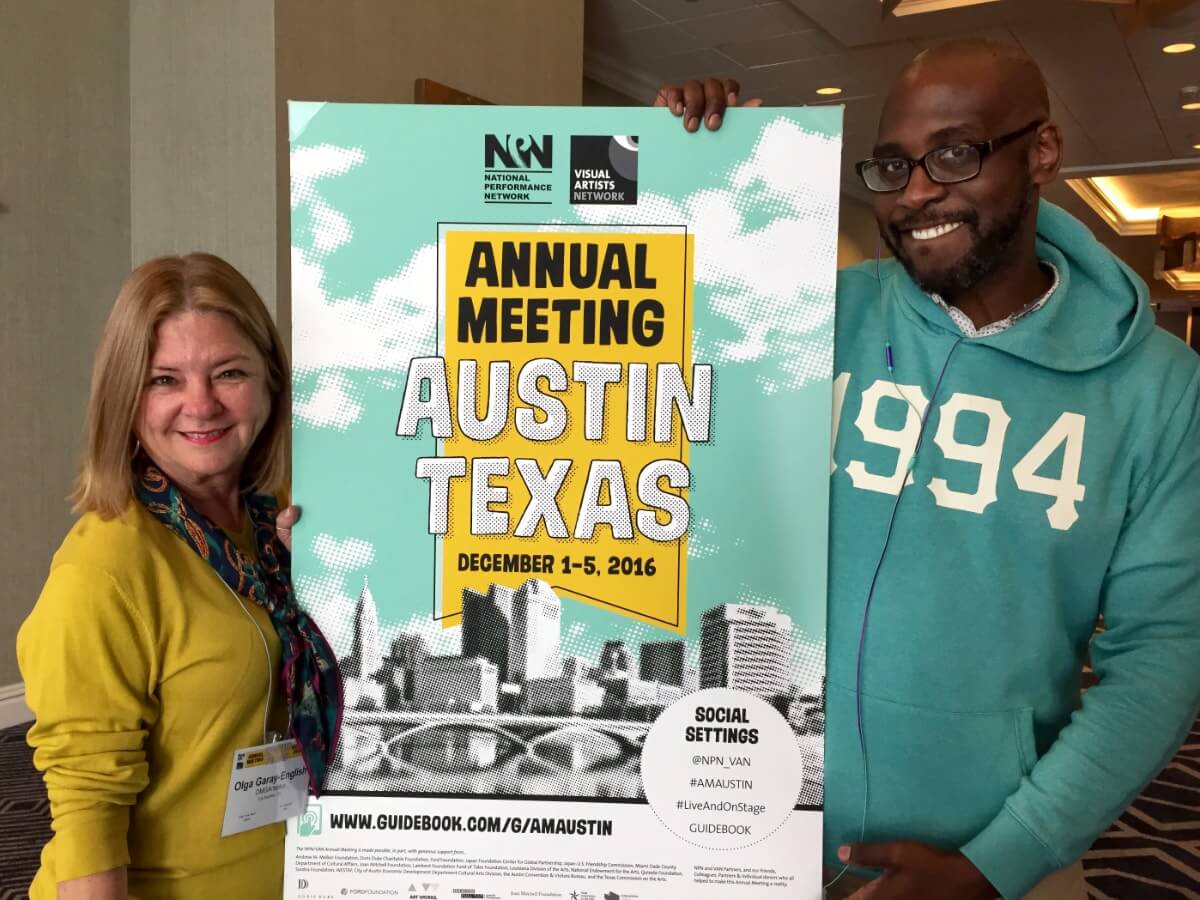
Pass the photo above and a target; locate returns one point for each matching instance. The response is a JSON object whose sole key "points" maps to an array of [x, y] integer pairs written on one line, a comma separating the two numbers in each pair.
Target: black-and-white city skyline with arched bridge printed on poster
{"points": [[511, 713]]}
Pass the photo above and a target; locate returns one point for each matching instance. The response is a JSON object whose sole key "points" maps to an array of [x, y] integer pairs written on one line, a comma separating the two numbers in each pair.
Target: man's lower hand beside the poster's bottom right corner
{"points": [[916, 872]]}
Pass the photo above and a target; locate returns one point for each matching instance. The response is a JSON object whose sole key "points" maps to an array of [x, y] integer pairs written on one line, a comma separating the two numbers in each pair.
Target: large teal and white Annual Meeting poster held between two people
{"points": [[563, 386]]}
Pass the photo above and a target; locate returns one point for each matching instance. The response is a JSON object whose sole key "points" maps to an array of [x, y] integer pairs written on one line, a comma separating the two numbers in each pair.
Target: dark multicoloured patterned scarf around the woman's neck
{"points": [[311, 681]]}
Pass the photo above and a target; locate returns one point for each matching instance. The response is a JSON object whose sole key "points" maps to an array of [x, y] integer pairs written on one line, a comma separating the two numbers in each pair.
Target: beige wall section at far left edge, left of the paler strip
{"points": [[64, 251]]}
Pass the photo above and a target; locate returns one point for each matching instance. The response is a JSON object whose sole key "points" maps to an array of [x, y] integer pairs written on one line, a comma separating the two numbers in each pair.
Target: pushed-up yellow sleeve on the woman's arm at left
{"points": [[91, 670]]}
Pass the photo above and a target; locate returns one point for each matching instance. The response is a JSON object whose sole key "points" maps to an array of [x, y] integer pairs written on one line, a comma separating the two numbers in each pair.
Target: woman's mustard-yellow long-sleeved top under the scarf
{"points": [[146, 676]]}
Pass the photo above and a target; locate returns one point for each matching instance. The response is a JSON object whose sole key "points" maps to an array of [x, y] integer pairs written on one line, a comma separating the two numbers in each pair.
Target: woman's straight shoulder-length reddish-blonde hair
{"points": [[154, 292]]}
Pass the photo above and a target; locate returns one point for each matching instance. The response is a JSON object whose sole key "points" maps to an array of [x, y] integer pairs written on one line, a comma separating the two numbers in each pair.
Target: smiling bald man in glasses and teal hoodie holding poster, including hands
{"points": [[1018, 453]]}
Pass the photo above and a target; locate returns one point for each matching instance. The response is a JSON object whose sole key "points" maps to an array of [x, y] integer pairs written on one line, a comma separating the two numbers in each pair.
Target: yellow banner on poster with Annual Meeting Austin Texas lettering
{"points": [[566, 401]]}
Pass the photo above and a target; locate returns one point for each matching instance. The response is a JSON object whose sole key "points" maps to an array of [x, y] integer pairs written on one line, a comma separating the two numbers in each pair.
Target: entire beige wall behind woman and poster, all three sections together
{"points": [[137, 128]]}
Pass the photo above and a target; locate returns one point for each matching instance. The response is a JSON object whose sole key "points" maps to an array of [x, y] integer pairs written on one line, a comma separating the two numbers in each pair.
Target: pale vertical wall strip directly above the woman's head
{"points": [[202, 129]]}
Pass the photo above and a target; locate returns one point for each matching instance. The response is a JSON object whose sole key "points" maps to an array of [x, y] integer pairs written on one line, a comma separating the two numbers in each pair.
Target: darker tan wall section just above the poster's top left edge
{"points": [[520, 52]]}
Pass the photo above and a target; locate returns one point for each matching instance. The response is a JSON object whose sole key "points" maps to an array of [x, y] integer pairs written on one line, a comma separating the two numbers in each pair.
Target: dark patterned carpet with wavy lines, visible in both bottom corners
{"points": [[1153, 853]]}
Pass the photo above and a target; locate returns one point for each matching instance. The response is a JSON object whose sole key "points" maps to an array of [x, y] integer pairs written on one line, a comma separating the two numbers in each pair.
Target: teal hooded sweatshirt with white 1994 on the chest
{"points": [[1059, 478]]}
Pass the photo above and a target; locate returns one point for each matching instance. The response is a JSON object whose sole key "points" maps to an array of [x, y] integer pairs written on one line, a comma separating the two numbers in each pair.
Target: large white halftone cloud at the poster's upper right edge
{"points": [[772, 281]]}
